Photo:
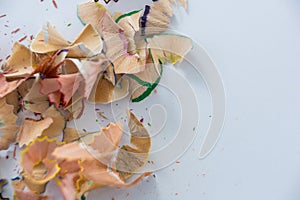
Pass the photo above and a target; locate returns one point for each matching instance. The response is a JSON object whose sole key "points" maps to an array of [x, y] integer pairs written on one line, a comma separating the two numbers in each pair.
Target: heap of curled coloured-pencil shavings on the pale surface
{"points": [[45, 86]]}
